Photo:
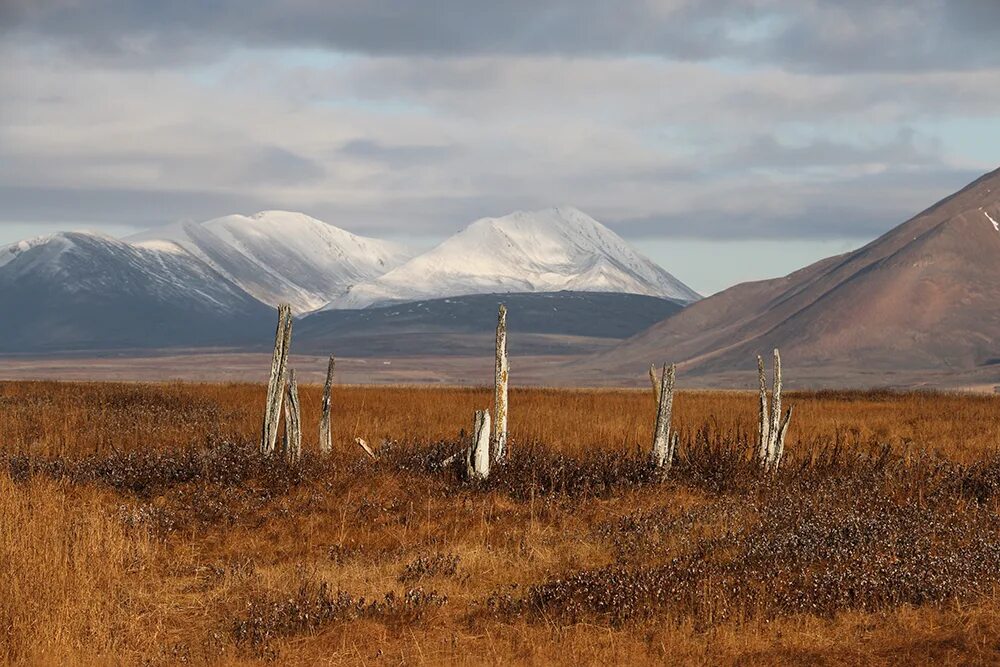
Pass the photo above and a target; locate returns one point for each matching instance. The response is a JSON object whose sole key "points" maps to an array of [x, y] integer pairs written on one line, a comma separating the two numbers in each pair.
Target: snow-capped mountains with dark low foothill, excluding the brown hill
{"points": [[214, 283]]}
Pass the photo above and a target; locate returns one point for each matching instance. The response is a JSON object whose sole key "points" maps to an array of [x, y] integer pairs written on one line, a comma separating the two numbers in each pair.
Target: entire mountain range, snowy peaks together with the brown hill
{"points": [[918, 306]]}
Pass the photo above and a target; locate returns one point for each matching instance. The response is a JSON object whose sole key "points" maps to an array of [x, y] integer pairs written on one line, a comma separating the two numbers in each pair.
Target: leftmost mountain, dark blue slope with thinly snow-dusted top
{"points": [[86, 291]]}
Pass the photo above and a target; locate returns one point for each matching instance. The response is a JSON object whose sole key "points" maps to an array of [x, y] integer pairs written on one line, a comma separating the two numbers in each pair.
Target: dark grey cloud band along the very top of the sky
{"points": [[824, 35]]}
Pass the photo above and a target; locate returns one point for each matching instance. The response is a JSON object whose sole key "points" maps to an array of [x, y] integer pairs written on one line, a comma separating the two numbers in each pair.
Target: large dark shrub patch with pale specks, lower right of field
{"points": [[865, 531]]}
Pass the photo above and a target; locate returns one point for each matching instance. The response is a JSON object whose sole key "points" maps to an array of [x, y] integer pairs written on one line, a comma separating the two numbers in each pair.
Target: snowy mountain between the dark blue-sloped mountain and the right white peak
{"points": [[280, 256]]}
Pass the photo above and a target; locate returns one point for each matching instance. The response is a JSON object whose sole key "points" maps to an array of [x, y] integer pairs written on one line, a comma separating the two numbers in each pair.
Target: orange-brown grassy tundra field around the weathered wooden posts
{"points": [[139, 525]]}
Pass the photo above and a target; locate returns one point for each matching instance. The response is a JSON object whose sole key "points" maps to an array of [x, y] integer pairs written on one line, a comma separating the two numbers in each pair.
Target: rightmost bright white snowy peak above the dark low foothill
{"points": [[538, 251]]}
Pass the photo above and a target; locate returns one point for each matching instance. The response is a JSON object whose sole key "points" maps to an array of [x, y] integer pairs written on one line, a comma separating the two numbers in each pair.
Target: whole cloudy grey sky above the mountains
{"points": [[728, 139]]}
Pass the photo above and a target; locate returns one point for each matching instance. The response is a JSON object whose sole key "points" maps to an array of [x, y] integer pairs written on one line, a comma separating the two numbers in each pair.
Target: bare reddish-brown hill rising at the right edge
{"points": [[921, 301]]}
